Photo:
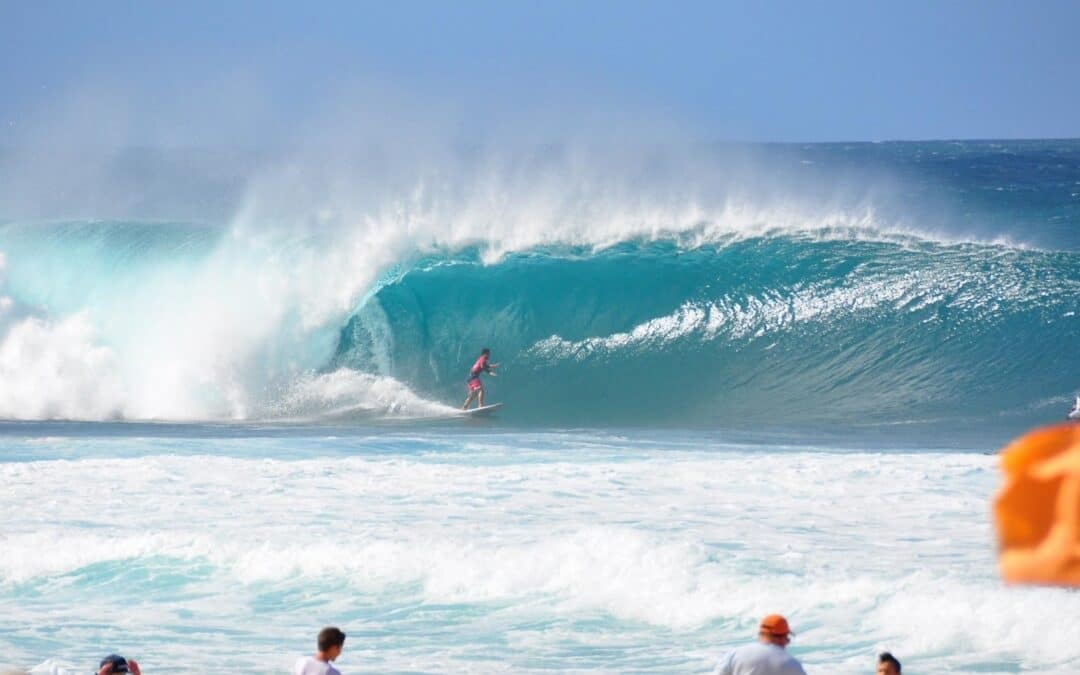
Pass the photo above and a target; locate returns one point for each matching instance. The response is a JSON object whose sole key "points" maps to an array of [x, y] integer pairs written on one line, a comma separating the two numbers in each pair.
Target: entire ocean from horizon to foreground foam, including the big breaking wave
{"points": [[775, 383]]}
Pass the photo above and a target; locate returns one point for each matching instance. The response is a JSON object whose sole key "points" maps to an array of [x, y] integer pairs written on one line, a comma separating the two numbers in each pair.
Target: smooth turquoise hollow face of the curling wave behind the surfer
{"points": [[766, 330]]}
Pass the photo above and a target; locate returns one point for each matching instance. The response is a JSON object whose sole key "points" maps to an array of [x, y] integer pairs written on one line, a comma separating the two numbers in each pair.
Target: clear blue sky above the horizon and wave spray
{"points": [[213, 72]]}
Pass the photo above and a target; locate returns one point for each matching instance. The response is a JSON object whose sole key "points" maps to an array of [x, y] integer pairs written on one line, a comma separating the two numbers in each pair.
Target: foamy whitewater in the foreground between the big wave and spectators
{"points": [[506, 552]]}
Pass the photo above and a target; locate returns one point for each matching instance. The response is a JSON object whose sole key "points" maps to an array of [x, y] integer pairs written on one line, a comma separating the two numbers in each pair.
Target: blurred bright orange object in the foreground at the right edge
{"points": [[1038, 509]]}
